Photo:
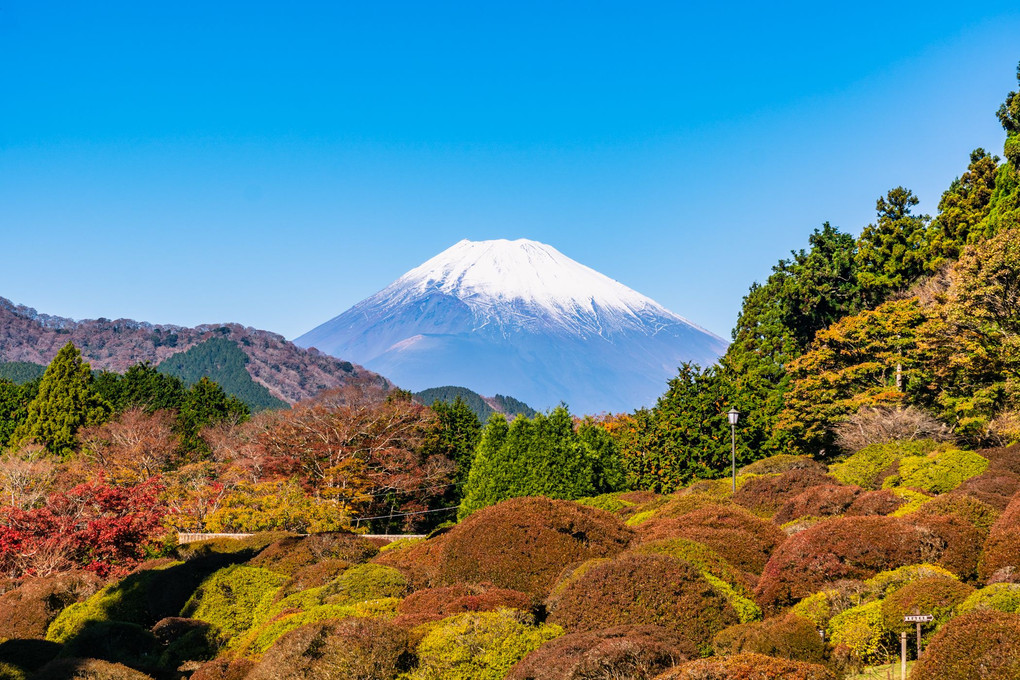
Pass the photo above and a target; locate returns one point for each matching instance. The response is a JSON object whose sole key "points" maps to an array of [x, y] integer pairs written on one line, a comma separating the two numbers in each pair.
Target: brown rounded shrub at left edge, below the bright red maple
{"points": [[30, 609]]}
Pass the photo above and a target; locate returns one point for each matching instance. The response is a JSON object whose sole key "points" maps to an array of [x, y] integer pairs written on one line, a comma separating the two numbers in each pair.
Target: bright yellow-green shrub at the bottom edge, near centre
{"points": [[479, 646]]}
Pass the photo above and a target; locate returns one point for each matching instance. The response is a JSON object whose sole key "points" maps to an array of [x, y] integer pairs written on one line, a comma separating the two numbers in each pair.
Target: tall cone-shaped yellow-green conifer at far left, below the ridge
{"points": [[66, 403]]}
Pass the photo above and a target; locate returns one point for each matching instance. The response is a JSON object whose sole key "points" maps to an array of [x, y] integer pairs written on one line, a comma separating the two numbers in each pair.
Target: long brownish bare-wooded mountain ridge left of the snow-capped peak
{"points": [[289, 374]]}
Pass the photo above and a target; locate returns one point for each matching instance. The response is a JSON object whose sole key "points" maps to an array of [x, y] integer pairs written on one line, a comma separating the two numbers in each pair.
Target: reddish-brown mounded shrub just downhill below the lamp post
{"points": [[744, 541]]}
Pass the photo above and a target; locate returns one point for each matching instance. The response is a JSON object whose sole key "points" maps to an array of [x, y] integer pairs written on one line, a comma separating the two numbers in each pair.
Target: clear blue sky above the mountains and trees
{"points": [[274, 164]]}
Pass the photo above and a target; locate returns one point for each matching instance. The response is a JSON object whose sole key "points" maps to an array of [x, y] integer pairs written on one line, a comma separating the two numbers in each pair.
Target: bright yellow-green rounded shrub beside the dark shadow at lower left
{"points": [[234, 599]]}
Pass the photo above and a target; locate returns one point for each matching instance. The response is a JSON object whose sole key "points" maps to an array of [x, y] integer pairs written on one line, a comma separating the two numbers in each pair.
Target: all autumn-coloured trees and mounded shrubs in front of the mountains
{"points": [[879, 479]]}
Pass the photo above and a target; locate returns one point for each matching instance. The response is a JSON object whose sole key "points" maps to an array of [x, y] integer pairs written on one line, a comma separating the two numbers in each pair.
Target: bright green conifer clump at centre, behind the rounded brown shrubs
{"points": [[543, 456]]}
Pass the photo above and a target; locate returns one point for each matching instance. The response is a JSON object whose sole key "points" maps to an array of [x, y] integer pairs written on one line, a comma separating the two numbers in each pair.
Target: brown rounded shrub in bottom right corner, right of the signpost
{"points": [[982, 646]]}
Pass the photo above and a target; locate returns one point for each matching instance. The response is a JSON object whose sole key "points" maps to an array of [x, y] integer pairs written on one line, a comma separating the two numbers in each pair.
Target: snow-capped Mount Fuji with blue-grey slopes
{"points": [[521, 319]]}
